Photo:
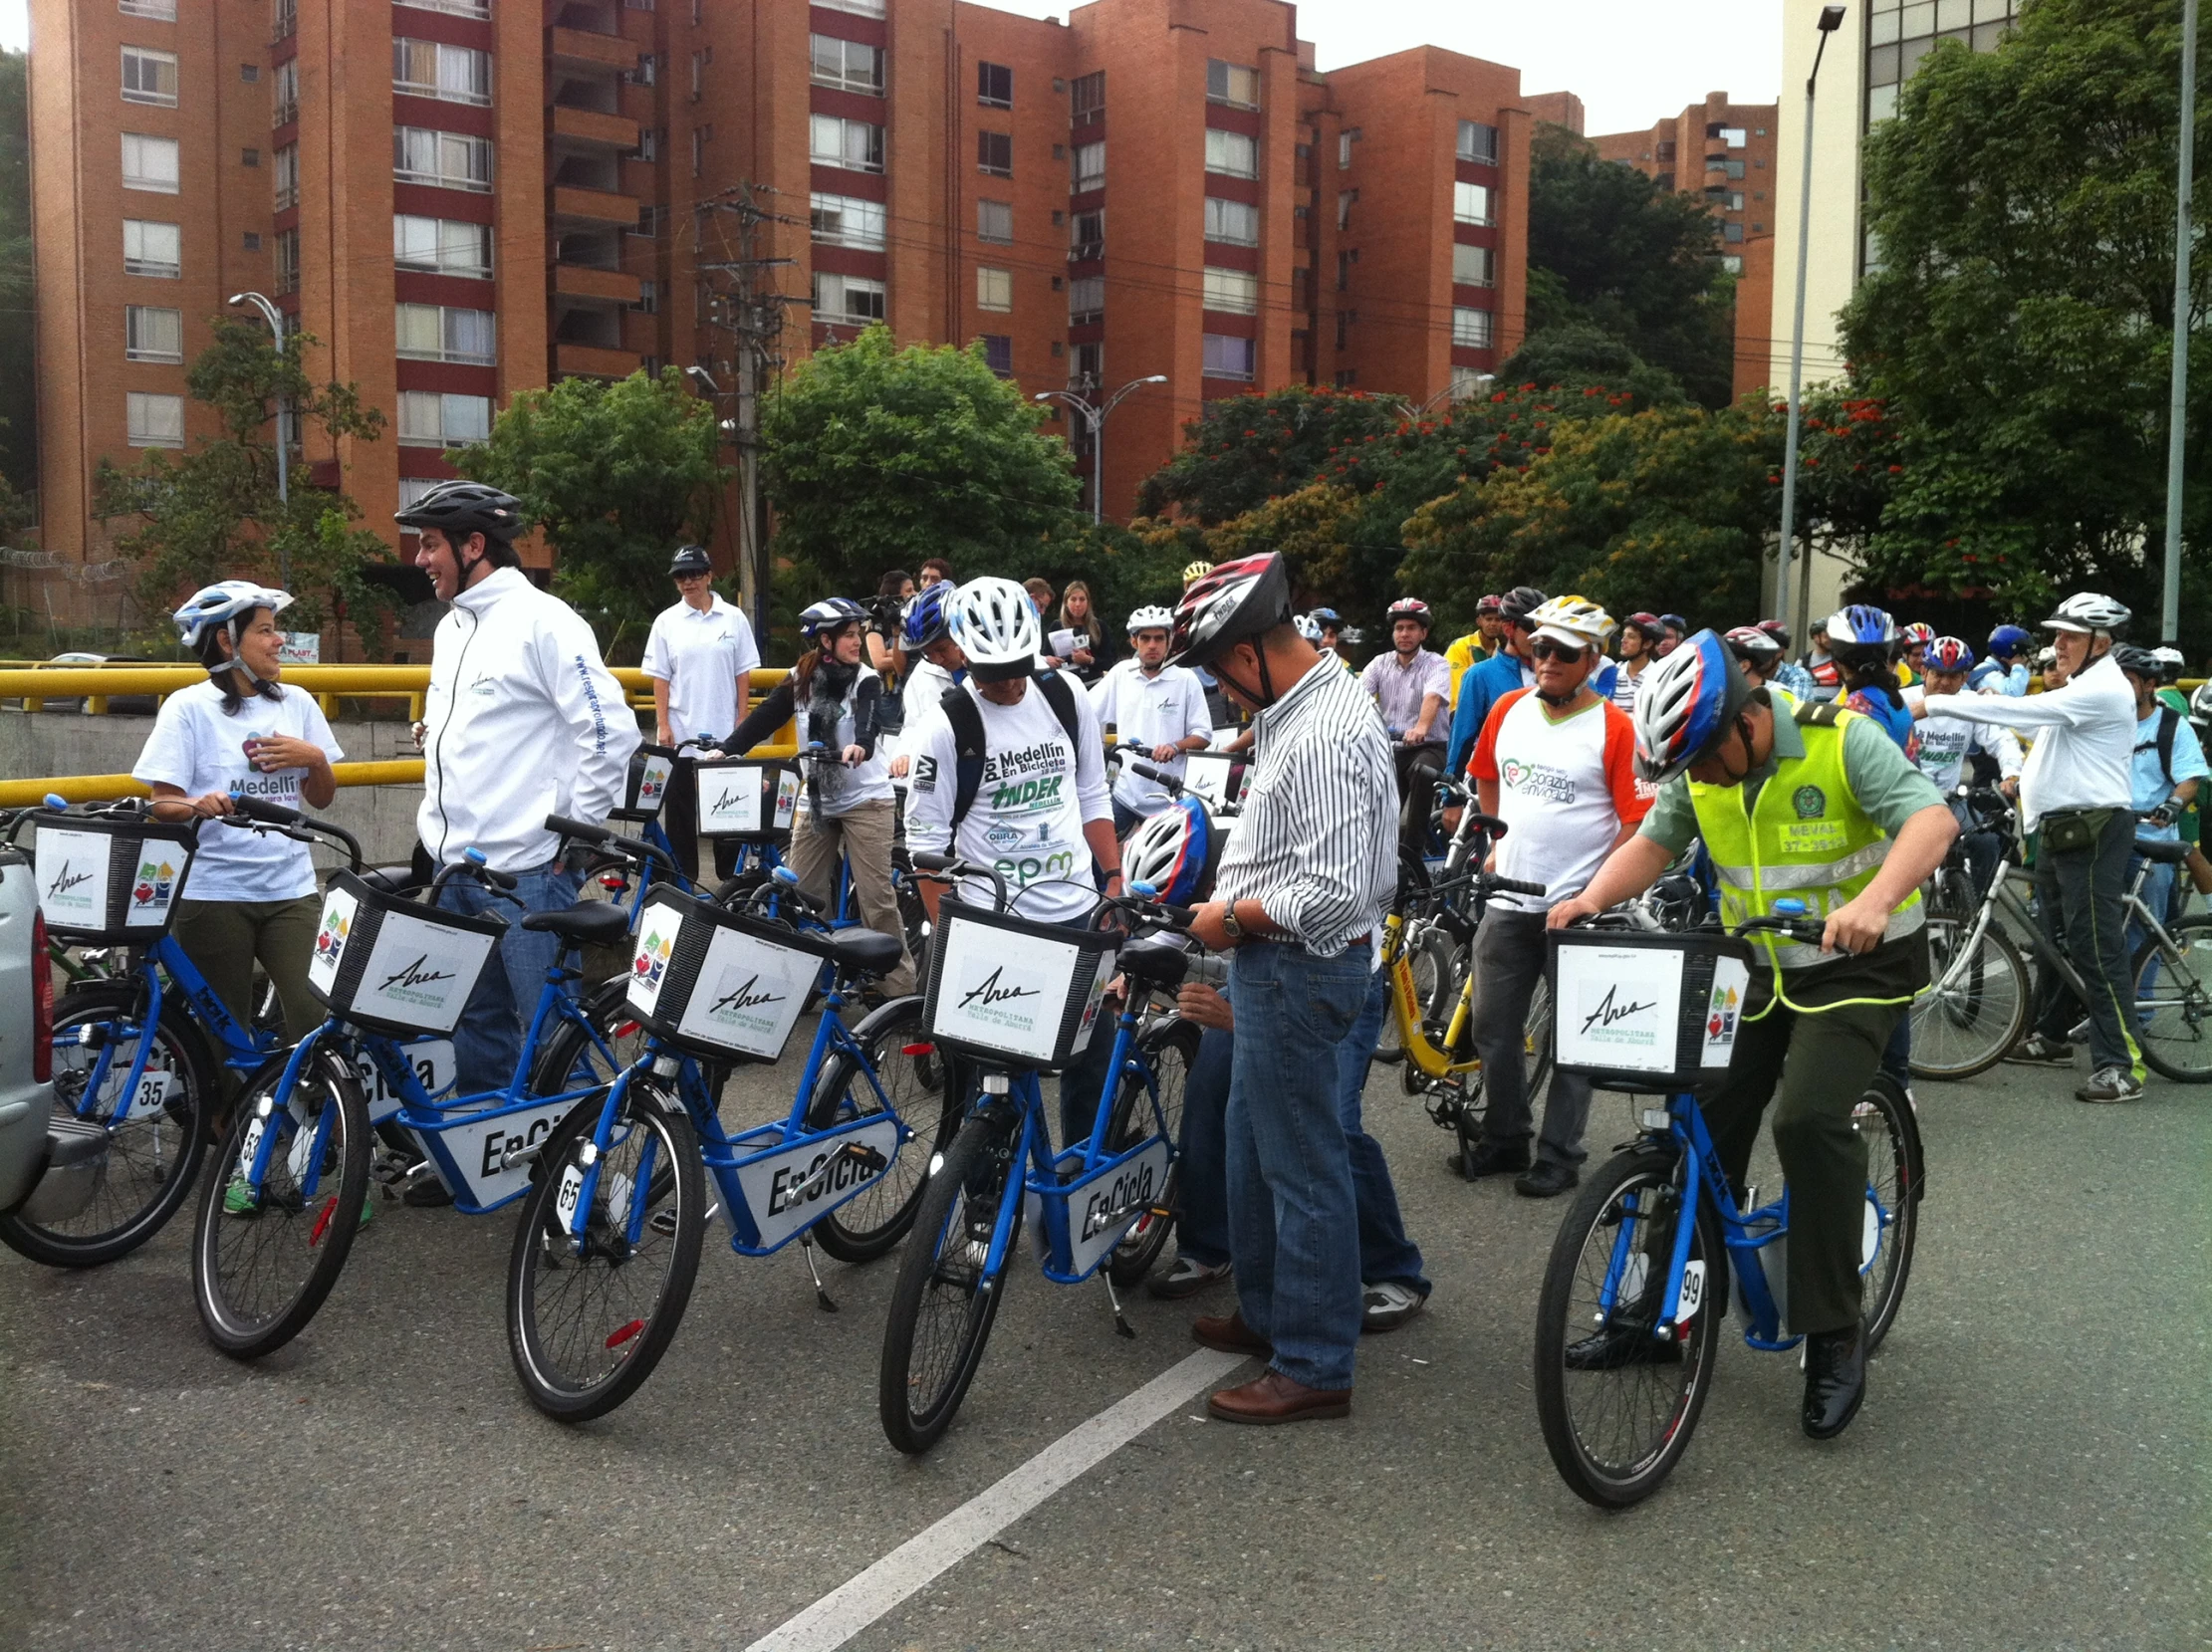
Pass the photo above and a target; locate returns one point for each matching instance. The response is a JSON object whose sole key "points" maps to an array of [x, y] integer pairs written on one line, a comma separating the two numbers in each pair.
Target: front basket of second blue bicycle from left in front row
{"points": [[395, 965]]}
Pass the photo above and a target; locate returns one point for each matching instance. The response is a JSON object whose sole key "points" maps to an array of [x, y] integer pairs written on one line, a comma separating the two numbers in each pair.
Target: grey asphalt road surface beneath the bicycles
{"points": [[2034, 1465]]}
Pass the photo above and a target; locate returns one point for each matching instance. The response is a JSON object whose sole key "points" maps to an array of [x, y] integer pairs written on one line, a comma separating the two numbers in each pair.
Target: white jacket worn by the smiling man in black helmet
{"points": [[521, 722]]}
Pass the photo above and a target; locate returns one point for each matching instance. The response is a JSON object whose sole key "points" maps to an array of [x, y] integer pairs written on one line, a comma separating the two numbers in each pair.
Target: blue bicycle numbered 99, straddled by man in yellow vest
{"points": [[1658, 1244]]}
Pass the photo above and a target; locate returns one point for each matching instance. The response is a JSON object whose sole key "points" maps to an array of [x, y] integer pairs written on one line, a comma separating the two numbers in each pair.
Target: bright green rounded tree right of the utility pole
{"points": [[881, 459]]}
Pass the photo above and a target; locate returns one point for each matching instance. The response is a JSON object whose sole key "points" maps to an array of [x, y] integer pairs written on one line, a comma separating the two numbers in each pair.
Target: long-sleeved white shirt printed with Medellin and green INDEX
{"points": [[1030, 813]]}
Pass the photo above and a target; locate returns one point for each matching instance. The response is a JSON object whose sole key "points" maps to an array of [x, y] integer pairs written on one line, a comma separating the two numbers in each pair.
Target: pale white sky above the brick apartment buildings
{"points": [[1631, 61]]}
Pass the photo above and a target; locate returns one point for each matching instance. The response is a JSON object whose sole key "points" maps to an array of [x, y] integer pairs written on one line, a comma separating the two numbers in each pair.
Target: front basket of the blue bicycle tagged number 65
{"points": [[720, 983]]}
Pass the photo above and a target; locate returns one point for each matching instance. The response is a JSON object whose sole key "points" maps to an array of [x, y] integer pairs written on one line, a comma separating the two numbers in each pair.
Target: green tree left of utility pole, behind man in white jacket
{"points": [[616, 477]]}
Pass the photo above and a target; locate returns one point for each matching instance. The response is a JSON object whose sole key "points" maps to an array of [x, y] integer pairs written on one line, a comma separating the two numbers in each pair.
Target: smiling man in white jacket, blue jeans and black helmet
{"points": [[521, 722]]}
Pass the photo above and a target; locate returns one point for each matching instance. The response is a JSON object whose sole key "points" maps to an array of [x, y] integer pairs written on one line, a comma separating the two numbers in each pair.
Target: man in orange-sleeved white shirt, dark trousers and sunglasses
{"points": [[1558, 766]]}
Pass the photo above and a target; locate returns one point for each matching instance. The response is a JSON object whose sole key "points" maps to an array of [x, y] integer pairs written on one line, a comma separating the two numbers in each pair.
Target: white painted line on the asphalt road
{"points": [[862, 1600]]}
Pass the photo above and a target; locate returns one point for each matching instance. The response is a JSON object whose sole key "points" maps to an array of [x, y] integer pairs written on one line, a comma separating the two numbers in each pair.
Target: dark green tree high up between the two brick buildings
{"points": [[1611, 251]]}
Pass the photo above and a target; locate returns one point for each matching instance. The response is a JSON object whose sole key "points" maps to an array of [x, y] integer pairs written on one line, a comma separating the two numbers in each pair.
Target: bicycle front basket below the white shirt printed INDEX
{"points": [[1012, 990]]}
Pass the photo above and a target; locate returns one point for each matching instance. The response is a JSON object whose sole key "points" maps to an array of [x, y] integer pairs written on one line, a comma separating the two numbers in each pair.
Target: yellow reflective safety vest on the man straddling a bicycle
{"points": [[1806, 837]]}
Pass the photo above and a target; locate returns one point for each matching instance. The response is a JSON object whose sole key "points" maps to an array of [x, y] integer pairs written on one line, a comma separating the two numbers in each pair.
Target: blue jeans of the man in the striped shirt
{"points": [[1293, 1211]]}
